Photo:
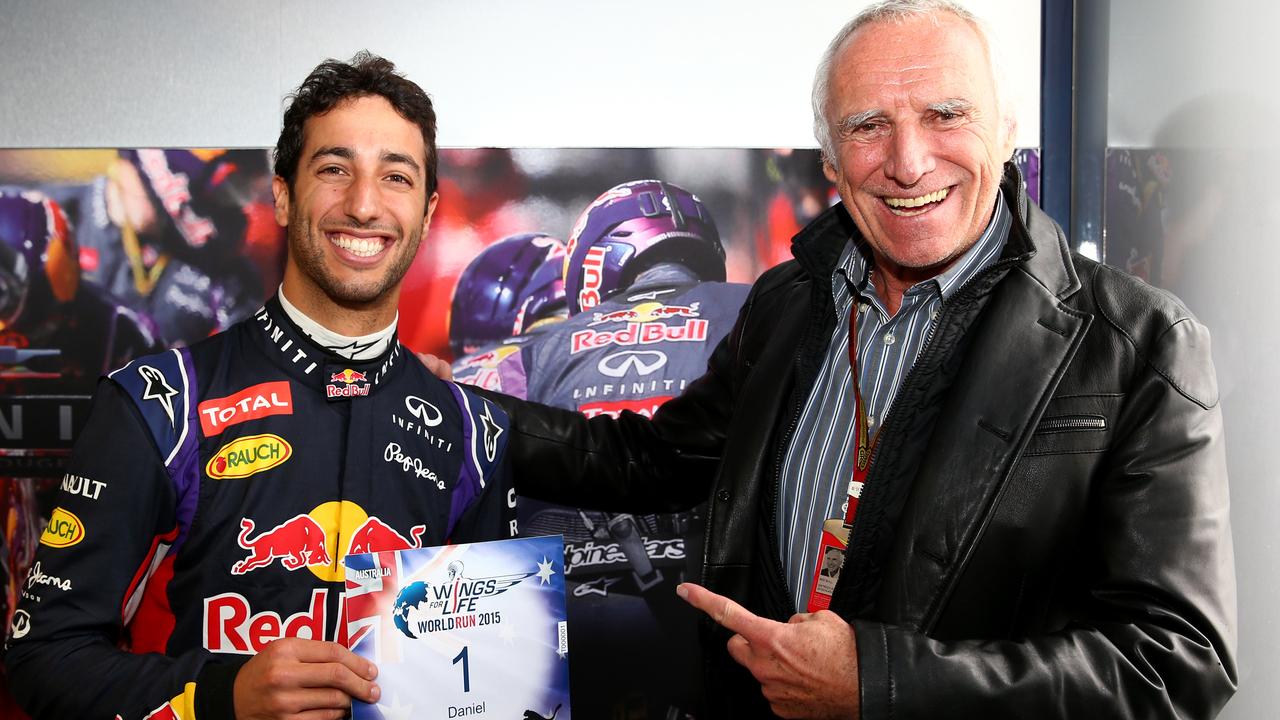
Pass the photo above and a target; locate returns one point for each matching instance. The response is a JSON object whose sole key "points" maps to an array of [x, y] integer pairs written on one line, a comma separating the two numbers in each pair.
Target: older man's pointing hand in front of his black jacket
{"points": [[807, 668]]}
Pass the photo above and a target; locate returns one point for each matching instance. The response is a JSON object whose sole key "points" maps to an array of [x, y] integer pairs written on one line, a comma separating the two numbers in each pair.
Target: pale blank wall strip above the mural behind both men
{"points": [[504, 72]]}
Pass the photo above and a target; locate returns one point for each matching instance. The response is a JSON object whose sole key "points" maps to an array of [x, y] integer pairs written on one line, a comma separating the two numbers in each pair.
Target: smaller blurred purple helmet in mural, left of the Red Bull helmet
{"points": [[510, 285]]}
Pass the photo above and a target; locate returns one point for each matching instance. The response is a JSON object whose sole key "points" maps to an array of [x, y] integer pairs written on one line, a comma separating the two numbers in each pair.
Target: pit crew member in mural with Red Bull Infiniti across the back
{"points": [[648, 303]]}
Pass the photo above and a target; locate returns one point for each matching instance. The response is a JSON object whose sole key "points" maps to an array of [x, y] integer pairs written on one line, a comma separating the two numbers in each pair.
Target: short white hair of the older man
{"points": [[893, 12]]}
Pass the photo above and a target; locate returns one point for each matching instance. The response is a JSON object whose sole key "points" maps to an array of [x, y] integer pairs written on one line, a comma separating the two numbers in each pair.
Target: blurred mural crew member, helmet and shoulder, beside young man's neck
{"points": [[511, 293]]}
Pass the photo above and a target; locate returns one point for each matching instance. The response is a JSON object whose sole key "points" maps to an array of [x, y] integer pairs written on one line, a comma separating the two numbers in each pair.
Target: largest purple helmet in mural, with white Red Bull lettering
{"points": [[633, 227]]}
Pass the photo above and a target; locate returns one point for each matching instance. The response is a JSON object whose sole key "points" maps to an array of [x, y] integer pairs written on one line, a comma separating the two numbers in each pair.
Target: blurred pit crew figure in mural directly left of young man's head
{"points": [[163, 231]]}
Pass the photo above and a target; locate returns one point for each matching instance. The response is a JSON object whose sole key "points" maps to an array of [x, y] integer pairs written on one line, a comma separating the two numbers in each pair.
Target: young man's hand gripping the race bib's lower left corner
{"points": [[304, 678]]}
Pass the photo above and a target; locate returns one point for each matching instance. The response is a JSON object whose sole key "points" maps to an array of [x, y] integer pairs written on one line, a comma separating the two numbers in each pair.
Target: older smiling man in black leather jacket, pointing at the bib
{"points": [[1018, 450]]}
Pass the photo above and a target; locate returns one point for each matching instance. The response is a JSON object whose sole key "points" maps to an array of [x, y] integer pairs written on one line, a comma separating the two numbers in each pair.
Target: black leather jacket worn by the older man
{"points": [[1045, 528]]}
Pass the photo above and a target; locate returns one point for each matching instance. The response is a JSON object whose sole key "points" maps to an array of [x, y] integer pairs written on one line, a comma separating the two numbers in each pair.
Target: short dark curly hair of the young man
{"points": [[333, 83]]}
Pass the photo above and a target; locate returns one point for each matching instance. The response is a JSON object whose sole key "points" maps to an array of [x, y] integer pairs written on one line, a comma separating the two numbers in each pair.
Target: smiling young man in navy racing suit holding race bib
{"points": [[217, 489]]}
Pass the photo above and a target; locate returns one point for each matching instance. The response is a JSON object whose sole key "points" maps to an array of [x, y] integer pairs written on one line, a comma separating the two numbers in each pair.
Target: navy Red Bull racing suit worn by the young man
{"points": [[211, 502]]}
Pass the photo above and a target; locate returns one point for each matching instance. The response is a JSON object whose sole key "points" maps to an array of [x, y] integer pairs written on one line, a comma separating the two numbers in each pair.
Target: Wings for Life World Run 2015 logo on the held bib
{"points": [[454, 603]]}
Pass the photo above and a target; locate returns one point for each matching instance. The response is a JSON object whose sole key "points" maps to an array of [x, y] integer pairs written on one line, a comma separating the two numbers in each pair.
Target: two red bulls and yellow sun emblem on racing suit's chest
{"points": [[310, 540]]}
